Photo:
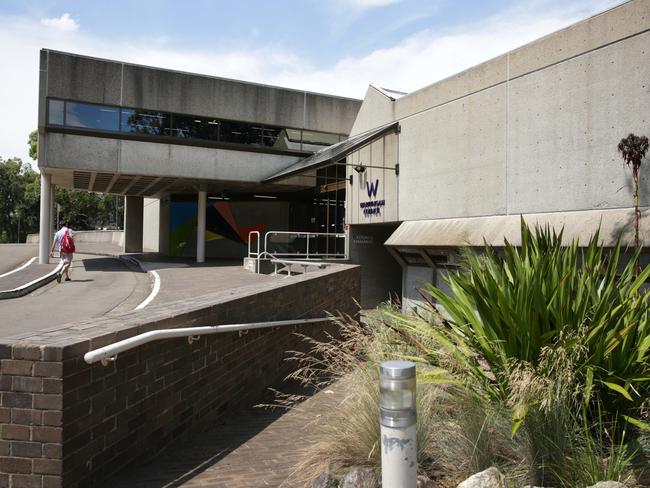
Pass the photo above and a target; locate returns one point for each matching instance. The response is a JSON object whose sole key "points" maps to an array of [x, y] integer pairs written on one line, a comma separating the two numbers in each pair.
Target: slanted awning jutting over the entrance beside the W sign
{"points": [[334, 153]]}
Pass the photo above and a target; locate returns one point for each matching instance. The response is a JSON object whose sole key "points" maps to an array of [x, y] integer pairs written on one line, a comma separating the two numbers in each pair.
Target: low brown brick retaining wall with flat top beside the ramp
{"points": [[66, 423]]}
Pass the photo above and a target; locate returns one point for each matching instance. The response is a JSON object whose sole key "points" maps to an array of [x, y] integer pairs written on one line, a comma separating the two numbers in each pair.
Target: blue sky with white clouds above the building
{"points": [[330, 46]]}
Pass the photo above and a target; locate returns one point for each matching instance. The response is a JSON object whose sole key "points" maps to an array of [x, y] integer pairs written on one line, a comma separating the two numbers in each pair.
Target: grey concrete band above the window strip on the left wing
{"points": [[93, 80]]}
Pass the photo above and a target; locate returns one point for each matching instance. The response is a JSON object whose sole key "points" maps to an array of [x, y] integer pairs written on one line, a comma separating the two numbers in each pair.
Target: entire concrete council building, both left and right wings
{"points": [[532, 132]]}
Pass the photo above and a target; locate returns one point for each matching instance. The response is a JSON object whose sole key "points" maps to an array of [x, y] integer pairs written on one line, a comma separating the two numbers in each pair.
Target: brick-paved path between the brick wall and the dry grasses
{"points": [[256, 448]]}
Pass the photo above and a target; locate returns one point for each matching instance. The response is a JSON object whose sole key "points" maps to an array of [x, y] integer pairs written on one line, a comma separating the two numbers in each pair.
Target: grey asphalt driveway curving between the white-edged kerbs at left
{"points": [[100, 285]]}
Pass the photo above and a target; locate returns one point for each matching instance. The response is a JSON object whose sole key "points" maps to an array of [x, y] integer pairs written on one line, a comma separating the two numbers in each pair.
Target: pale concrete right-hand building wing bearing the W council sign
{"points": [[533, 132]]}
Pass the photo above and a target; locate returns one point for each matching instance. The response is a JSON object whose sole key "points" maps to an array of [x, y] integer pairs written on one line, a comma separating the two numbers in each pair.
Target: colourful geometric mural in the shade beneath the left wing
{"points": [[220, 224]]}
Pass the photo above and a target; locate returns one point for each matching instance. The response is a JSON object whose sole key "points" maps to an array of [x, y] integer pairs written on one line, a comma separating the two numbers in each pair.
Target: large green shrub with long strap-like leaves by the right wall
{"points": [[505, 309]]}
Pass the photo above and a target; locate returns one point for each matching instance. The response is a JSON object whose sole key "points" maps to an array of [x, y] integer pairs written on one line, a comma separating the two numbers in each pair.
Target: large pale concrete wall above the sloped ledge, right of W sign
{"points": [[534, 130]]}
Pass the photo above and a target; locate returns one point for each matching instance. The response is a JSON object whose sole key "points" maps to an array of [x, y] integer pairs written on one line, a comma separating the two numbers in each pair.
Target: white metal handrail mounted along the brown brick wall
{"points": [[109, 353]]}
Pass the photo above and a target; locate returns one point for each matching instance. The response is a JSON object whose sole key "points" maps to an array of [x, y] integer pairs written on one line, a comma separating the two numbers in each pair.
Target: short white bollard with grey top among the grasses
{"points": [[397, 417]]}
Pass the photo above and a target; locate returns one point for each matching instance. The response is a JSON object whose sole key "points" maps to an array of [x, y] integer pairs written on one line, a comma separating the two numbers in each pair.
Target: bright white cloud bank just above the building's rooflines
{"points": [[414, 62]]}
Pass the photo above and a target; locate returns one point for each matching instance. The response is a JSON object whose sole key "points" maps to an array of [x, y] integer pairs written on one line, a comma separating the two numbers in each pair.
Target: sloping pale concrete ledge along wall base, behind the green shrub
{"points": [[477, 231]]}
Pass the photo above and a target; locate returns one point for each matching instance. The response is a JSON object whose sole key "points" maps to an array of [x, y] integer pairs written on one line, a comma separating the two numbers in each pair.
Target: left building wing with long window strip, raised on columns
{"points": [[189, 152]]}
